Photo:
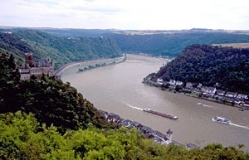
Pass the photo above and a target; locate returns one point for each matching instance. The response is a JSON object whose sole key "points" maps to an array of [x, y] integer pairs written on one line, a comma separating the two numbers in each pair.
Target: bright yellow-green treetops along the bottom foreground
{"points": [[22, 137]]}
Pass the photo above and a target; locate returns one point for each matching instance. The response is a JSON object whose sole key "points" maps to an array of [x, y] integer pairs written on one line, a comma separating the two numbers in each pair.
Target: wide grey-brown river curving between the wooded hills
{"points": [[119, 89]]}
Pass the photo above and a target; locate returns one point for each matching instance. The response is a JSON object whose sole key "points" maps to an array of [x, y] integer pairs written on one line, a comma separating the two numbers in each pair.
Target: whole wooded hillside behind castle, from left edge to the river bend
{"points": [[61, 49]]}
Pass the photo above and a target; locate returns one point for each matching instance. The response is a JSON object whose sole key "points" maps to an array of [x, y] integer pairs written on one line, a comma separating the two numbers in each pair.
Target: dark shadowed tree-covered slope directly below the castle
{"points": [[51, 101]]}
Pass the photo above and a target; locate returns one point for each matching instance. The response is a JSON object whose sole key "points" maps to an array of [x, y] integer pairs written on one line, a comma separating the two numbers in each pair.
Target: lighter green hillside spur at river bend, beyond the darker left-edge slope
{"points": [[69, 49]]}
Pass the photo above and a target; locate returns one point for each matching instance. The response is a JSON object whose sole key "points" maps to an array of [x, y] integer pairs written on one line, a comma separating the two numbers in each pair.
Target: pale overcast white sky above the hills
{"points": [[126, 14]]}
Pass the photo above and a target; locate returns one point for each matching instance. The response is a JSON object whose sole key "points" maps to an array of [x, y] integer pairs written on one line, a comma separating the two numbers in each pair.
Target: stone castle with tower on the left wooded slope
{"points": [[36, 69]]}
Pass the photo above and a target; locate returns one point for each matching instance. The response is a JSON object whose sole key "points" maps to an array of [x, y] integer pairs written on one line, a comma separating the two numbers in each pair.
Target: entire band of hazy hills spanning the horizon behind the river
{"points": [[70, 45]]}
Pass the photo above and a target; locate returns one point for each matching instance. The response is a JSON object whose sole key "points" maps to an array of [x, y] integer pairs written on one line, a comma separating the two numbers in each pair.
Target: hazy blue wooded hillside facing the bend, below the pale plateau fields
{"points": [[172, 44]]}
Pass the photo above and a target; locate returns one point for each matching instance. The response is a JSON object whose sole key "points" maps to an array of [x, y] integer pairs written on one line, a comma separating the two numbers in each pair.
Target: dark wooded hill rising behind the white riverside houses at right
{"points": [[206, 64]]}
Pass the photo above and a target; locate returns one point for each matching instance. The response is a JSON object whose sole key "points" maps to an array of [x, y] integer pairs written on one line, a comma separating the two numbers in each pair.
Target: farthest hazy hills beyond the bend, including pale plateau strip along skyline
{"points": [[159, 42]]}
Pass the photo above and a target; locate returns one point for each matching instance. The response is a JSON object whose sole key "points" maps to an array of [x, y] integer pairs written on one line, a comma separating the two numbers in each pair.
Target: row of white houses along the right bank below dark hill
{"points": [[199, 91]]}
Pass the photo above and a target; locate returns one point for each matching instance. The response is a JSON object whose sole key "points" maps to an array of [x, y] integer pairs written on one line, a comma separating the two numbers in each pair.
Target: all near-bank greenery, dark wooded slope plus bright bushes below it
{"points": [[47, 119]]}
